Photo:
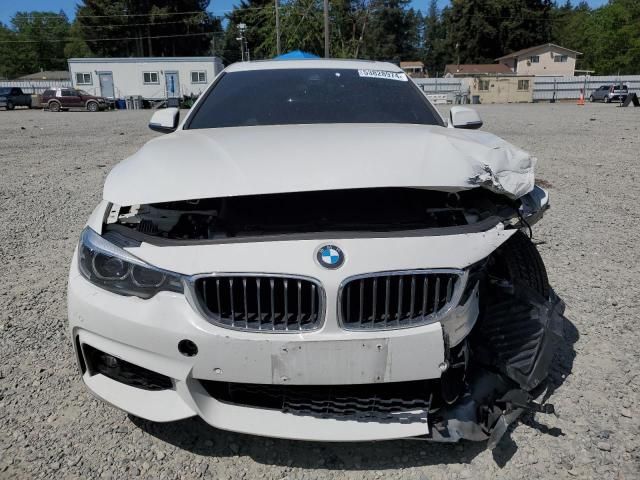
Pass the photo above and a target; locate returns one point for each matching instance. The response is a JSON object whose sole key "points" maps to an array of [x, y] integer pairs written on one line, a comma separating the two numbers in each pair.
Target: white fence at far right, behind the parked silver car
{"points": [[568, 88]]}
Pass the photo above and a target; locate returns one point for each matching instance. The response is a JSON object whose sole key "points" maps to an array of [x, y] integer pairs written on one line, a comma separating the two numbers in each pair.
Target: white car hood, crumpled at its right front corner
{"points": [[222, 162]]}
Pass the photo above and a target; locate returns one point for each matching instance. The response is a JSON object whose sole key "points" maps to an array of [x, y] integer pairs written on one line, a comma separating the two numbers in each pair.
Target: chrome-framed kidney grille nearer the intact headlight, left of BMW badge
{"points": [[262, 303]]}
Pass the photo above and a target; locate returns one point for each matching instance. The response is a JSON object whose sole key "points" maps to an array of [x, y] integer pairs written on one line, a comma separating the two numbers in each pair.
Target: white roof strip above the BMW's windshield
{"points": [[312, 63]]}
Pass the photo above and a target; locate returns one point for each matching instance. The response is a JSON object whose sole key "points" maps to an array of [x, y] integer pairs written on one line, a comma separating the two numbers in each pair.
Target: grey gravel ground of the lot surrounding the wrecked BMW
{"points": [[52, 167]]}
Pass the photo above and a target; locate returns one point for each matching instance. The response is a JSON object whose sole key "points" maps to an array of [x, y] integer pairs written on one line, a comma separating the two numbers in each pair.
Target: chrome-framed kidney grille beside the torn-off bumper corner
{"points": [[398, 299]]}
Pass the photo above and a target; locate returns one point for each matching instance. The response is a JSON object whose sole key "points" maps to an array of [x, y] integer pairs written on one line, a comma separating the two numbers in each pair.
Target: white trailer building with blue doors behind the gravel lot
{"points": [[153, 78]]}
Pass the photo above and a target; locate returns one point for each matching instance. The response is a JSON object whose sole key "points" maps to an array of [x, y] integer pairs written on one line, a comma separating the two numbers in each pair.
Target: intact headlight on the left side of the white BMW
{"points": [[113, 268]]}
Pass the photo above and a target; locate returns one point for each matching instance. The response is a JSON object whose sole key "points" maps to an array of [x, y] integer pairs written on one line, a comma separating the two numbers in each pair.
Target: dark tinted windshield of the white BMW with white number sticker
{"points": [[304, 96]]}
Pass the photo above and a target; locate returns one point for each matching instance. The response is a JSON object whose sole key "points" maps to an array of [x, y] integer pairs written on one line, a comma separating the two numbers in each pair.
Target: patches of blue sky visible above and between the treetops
{"points": [[9, 7]]}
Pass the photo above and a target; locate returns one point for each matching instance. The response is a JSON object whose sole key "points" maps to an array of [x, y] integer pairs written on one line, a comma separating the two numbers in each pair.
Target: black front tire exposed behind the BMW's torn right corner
{"points": [[518, 260]]}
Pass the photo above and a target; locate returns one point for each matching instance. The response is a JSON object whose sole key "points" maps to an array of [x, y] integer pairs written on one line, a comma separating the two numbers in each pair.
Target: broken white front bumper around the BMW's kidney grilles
{"points": [[146, 333]]}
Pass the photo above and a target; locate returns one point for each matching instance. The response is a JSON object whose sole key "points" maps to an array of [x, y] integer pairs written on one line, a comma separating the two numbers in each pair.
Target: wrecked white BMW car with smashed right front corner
{"points": [[315, 253]]}
